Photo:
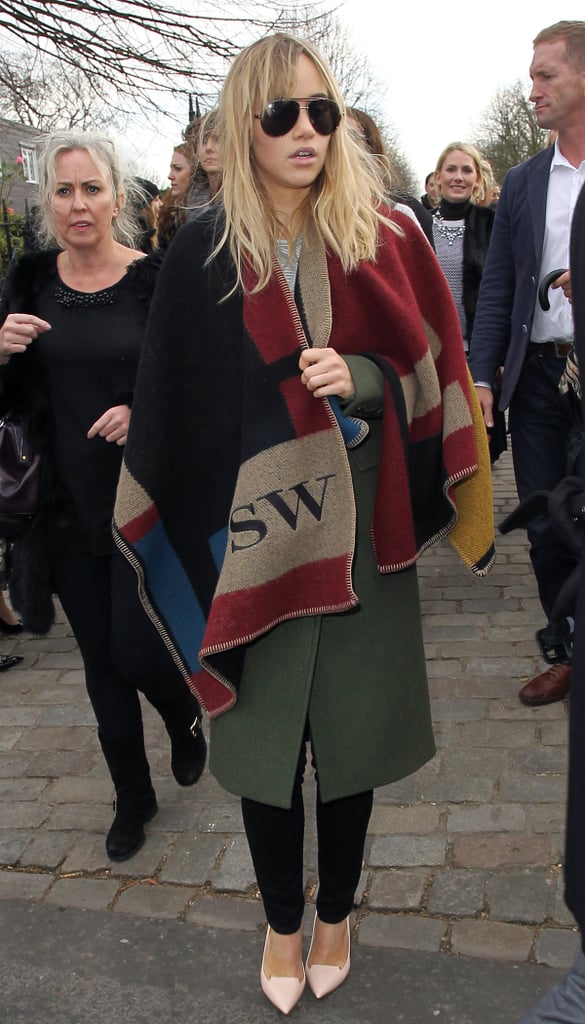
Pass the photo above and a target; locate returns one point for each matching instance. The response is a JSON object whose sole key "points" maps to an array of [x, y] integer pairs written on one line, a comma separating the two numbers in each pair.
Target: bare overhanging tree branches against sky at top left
{"points": [[147, 46]]}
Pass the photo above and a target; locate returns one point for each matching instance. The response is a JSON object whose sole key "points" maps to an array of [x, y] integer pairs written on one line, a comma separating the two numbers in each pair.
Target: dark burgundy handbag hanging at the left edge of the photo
{"points": [[20, 473]]}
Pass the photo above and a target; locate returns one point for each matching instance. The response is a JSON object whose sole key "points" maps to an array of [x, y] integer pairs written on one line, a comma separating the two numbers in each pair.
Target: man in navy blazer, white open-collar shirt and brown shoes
{"points": [[531, 239]]}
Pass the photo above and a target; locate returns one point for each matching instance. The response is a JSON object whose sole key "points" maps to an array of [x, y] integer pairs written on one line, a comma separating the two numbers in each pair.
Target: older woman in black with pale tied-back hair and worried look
{"points": [[73, 319]]}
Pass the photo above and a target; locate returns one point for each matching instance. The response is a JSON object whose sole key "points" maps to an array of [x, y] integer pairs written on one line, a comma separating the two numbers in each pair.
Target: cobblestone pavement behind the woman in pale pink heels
{"points": [[464, 858]]}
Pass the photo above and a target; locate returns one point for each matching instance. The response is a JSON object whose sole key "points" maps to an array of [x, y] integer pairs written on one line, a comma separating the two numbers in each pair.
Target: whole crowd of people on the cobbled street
{"points": [[312, 333]]}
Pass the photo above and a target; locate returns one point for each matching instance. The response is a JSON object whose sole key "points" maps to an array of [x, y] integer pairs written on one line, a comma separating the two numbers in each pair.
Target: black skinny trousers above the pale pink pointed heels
{"points": [[276, 839]]}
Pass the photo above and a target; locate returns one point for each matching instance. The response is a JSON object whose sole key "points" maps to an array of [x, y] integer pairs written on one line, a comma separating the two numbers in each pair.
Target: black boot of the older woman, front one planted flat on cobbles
{"points": [[136, 802]]}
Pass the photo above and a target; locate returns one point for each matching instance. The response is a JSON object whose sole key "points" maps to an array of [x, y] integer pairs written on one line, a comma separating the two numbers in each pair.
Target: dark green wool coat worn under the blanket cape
{"points": [[358, 677]]}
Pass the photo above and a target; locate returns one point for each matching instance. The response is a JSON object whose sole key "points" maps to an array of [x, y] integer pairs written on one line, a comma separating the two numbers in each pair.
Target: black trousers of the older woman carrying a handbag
{"points": [[122, 652]]}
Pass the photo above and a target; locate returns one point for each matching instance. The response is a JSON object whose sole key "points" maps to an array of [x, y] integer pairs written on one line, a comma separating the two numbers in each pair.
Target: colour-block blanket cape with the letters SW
{"points": [[236, 505]]}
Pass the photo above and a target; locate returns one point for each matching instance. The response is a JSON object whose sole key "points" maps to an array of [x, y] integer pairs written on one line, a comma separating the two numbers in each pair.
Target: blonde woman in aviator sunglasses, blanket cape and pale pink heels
{"points": [[289, 351]]}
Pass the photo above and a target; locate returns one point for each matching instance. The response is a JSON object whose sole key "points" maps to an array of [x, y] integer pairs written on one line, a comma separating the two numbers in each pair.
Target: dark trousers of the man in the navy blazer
{"points": [[540, 426]]}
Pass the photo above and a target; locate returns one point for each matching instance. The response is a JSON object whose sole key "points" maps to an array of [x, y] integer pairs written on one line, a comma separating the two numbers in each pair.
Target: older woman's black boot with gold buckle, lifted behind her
{"points": [[183, 719]]}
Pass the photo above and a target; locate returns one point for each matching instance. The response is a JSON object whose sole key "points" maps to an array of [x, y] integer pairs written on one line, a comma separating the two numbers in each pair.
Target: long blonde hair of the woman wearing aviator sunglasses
{"points": [[344, 203]]}
